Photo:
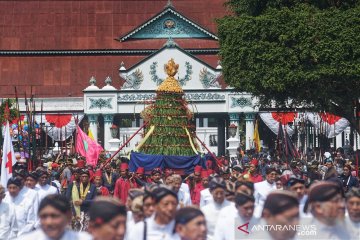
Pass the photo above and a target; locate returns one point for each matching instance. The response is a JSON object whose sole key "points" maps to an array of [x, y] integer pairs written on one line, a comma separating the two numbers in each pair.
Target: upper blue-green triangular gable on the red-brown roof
{"points": [[166, 24]]}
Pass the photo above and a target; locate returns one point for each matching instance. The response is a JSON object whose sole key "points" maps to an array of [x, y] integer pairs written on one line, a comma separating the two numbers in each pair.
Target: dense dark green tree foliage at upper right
{"points": [[294, 52]]}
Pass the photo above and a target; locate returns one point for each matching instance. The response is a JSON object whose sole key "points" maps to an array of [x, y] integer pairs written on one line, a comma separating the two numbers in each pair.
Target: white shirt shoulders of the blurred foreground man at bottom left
{"points": [[68, 234]]}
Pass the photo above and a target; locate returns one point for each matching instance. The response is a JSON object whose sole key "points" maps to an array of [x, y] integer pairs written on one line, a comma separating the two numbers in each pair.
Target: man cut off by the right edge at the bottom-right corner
{"points": [[352, 222]]}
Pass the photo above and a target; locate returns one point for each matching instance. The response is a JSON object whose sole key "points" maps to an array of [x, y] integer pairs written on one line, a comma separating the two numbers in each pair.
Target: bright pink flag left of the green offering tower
{"points": [[87, 147]]}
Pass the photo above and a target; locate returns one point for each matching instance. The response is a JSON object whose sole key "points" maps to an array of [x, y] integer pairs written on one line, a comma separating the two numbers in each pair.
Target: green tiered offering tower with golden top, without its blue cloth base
{"points": [[169, 130]]}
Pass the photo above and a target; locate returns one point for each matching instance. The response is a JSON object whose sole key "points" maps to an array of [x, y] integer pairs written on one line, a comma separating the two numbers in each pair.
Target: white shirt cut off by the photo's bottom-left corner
{"points": [[7, 221]]}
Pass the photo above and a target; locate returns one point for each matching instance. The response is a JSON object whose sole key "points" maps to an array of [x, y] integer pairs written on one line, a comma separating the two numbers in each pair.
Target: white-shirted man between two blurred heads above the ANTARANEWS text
{"points": [[262, 189]]}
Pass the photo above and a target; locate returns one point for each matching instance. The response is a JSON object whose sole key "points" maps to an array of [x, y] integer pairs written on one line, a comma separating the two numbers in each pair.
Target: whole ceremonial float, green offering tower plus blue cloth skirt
{"points": [[169, 138]]}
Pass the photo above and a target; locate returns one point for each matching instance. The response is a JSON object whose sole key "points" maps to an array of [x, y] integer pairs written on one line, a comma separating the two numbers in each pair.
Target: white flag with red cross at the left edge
{"points": [[8, 157]]}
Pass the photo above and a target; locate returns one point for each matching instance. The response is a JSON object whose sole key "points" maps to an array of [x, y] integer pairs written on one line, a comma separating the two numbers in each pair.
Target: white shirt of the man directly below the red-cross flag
{"points": [[25, 205]]}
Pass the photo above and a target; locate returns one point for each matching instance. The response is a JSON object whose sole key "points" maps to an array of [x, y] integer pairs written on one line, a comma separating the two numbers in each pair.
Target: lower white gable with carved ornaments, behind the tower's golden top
{"points": [[149, 73]]}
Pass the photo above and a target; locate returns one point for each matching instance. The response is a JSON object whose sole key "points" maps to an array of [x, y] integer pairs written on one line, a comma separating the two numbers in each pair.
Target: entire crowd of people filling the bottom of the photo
{"points": [[252, 198]]}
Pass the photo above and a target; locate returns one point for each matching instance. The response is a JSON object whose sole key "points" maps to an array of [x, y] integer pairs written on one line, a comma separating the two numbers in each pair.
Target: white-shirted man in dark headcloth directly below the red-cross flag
{"points": [[18, 198]]}
